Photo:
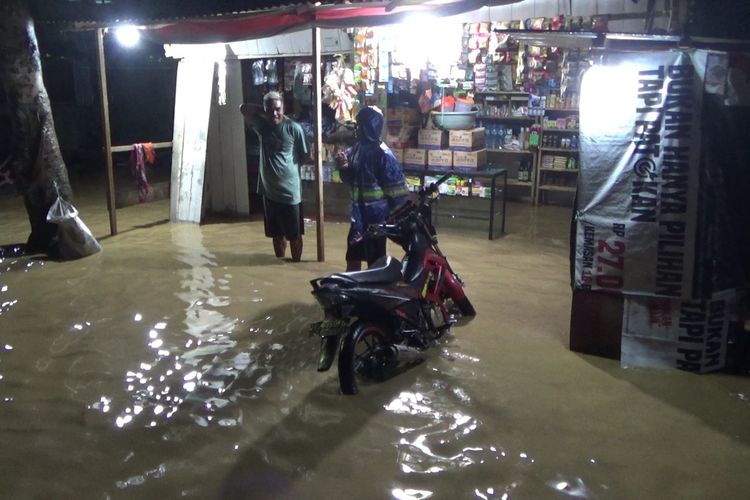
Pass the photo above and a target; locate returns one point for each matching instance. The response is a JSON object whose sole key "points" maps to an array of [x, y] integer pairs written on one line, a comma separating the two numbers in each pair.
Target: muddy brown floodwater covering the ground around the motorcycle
{"points": [[176, 363]]}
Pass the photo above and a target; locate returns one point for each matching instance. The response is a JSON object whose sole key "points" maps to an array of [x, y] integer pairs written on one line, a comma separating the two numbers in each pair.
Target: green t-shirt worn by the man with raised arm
{"points": [[281, 148]]}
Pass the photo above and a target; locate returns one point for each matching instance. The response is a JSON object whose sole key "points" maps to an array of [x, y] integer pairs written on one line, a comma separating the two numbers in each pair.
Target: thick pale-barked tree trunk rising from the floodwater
{"points": [[36, 162]]}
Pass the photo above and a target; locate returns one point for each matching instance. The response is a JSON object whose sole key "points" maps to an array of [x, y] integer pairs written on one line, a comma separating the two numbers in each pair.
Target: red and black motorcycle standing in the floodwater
{"points": [[382, 319]]}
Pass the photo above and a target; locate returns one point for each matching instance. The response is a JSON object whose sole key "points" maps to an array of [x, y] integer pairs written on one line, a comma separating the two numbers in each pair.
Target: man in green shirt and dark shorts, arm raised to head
{"points": [[283, 148]]}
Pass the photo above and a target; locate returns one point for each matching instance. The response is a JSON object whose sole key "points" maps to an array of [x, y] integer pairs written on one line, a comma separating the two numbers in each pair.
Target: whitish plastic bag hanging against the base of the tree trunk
{"points": [[73, 237]]}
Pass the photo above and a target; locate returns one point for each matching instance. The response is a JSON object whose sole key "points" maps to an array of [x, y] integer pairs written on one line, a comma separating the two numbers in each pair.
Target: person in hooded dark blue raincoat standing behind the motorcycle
{"points": [[377, 187]]}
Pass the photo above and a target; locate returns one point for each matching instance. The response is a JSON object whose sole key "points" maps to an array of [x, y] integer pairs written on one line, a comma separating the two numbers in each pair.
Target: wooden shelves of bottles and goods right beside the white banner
{"points": [[560, 172]]}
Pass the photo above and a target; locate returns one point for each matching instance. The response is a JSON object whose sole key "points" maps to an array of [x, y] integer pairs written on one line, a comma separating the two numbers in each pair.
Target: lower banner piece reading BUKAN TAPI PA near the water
{"points": [[669, 333]]}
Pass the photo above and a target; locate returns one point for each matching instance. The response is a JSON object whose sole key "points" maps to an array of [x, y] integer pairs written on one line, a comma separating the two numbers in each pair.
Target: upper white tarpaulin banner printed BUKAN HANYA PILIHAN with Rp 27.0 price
{"points": [[640, 157]]}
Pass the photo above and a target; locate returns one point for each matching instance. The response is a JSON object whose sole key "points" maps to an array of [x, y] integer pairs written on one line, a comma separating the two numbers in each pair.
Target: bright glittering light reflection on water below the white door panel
{"points": [[190, 369]]}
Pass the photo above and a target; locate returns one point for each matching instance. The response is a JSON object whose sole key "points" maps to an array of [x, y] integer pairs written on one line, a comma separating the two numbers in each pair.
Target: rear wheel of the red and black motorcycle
{"points": [[365, 356]]}
